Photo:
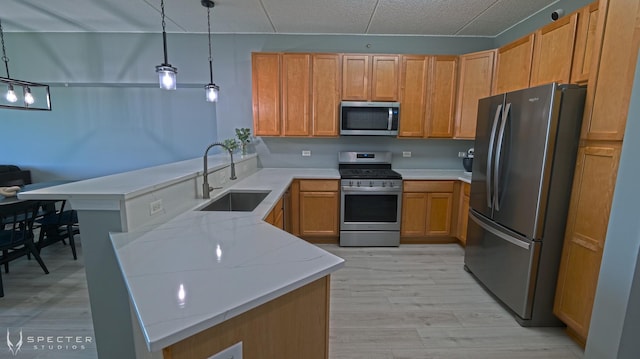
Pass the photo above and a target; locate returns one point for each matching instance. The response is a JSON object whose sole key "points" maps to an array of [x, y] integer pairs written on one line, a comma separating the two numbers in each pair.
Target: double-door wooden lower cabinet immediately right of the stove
{"points": [[427, 210]]}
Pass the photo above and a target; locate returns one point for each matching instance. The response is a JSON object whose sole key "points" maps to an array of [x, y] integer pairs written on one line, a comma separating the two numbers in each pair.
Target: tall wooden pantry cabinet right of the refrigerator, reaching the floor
{"points": [[615, 45]]}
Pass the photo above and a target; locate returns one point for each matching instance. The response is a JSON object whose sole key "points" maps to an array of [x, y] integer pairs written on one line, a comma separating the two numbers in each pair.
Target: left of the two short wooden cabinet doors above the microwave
{"points": [[355, 77]]}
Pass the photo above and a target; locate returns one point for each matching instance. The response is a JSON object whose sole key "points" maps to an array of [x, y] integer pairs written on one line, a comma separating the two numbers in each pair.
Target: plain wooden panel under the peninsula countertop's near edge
{"points": [[292, 326]]}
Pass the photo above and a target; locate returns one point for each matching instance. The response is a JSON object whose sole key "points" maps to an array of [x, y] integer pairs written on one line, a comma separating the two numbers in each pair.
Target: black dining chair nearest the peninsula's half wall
{"points": [[56, 225]]}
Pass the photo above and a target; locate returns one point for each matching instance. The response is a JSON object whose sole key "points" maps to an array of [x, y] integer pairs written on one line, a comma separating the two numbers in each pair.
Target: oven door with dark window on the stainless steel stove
{"points": [[370, 208]]}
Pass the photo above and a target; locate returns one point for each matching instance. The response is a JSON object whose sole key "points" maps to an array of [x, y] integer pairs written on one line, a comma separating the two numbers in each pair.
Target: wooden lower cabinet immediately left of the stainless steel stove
{"points": [[317, 203]]}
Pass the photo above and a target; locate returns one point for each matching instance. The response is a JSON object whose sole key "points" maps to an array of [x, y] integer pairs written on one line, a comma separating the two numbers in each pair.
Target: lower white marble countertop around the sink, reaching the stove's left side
{"points": [[202, 268]]}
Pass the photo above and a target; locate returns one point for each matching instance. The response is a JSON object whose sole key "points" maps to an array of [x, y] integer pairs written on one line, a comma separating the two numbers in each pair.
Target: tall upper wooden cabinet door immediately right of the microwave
{"points": [[413, 95]]}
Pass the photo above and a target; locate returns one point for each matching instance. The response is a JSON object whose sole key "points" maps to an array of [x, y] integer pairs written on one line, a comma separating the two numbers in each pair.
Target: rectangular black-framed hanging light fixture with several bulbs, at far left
{"points": [[10, 99]]}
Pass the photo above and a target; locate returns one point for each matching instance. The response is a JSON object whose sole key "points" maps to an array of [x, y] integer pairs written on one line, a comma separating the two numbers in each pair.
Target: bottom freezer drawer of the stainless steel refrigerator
{"points": [[505, 263]]}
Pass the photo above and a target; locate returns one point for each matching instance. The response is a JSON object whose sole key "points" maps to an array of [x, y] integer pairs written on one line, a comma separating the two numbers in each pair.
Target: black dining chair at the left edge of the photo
{"points": [[16, 234]]}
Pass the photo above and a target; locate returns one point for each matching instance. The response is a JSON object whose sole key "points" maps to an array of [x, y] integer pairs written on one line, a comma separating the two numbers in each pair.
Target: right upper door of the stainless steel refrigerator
{"points": [[522, 168]]}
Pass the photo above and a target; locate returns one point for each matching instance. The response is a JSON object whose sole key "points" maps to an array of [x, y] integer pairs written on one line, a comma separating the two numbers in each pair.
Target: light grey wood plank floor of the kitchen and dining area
{"points": [[412, 302]]}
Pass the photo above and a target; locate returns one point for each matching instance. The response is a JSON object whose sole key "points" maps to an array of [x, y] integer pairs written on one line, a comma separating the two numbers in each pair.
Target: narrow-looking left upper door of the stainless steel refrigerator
{"points": [[489, 115]]}
